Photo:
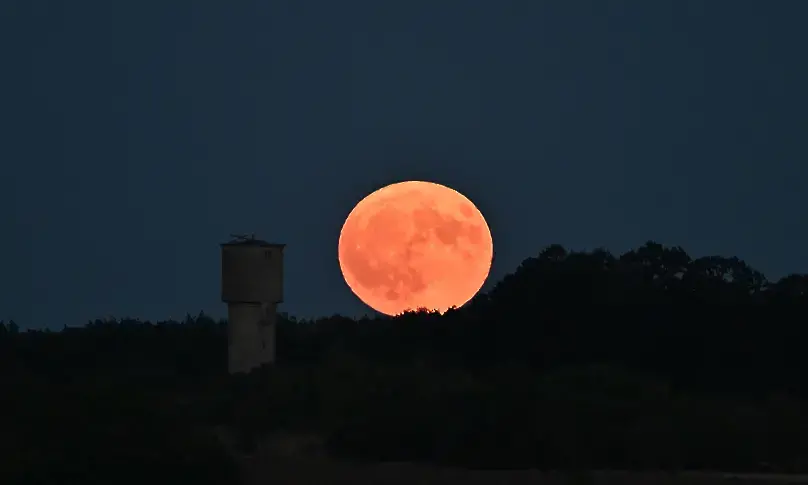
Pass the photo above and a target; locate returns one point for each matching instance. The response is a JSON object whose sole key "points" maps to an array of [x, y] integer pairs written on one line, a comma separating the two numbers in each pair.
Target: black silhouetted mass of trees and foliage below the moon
{"points": [[649, 359]]}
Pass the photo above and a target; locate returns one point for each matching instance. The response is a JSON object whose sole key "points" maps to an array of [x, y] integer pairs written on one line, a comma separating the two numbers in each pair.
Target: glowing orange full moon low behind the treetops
{"points": [[414, 245]]}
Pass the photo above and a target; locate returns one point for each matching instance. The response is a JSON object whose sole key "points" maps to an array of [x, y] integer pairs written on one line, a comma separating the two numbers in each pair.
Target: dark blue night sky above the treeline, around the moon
{"points": [[136, 135]]}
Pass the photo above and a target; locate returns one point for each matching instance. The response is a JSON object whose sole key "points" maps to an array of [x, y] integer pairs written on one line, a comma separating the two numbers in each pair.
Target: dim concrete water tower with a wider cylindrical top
{"points": [[252, 287]]}
